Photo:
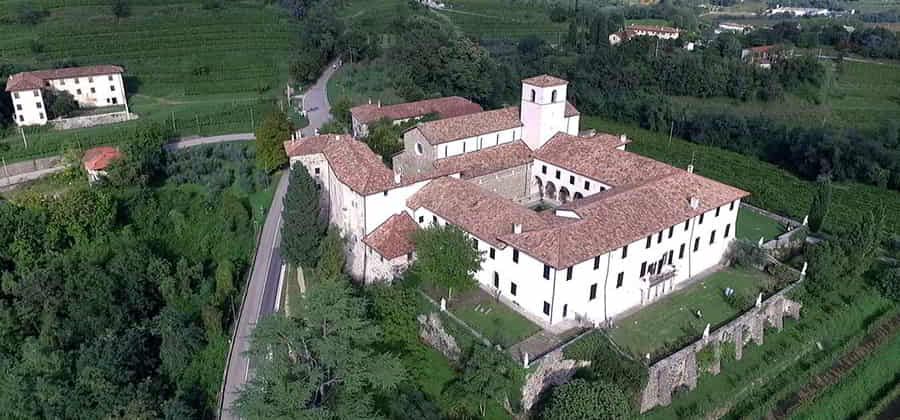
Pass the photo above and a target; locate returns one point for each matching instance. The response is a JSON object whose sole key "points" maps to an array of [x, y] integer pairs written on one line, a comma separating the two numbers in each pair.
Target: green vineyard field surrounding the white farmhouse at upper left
{"points": [[201, 71]]}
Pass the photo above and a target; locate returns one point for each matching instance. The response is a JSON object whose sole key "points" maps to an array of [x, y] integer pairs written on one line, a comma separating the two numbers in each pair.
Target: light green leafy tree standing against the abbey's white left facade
{"points": [[445, 257]]}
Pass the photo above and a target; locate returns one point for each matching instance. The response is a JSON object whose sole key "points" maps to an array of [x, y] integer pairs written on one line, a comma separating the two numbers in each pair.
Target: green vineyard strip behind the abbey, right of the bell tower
{"points": [[771, 187]]}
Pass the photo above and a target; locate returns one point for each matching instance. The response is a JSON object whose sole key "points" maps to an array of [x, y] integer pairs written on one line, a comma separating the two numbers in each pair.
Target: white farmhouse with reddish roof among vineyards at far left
{"points": [[93, 86]]}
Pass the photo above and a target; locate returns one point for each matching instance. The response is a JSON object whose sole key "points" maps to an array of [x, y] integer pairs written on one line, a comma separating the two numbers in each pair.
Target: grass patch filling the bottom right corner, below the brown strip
{"points": [[873, 377]]}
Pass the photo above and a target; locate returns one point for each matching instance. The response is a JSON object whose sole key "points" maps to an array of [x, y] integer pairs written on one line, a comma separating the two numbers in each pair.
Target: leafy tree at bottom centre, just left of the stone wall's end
{"points": [[488, 376]]}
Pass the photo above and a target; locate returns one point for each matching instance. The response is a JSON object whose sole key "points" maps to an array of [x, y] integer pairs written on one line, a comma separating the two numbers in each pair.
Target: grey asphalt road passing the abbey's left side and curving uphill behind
{"points": [[262, 288]]}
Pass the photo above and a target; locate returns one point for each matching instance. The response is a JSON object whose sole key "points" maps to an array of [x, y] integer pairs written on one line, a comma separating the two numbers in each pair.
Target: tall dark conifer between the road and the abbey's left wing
{"points": [[302, 227]]}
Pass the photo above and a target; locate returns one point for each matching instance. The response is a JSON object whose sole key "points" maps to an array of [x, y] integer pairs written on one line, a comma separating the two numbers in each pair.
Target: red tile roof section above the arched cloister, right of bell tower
{"points": [[596, 157]]}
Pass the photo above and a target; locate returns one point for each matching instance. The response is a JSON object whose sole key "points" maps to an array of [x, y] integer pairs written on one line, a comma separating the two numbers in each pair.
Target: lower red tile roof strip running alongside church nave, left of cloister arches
{"points": [[485, 161]]}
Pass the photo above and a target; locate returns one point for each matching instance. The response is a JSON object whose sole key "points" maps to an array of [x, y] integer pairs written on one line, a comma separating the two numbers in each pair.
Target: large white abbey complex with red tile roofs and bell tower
{"points": [[621, 230]]}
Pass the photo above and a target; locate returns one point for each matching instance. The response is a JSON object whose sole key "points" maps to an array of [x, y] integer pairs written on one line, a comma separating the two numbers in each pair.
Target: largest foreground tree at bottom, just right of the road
{"points": [[321, 364]]}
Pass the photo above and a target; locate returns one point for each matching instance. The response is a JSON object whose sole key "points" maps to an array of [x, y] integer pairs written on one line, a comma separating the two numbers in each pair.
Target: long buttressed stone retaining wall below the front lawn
{"points": [[681, 368]]}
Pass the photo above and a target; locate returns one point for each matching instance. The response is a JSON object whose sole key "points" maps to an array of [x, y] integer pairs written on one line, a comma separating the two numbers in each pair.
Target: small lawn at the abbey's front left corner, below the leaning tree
{"points": [[497, 322]]}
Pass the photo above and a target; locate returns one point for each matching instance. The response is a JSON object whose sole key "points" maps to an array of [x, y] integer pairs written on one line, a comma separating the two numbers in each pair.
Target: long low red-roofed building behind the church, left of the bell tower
{"points": [[454, 106]]}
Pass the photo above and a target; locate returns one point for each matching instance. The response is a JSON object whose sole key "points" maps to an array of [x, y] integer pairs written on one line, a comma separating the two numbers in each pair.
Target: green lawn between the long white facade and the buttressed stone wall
{"points": [[672, 321]]}
